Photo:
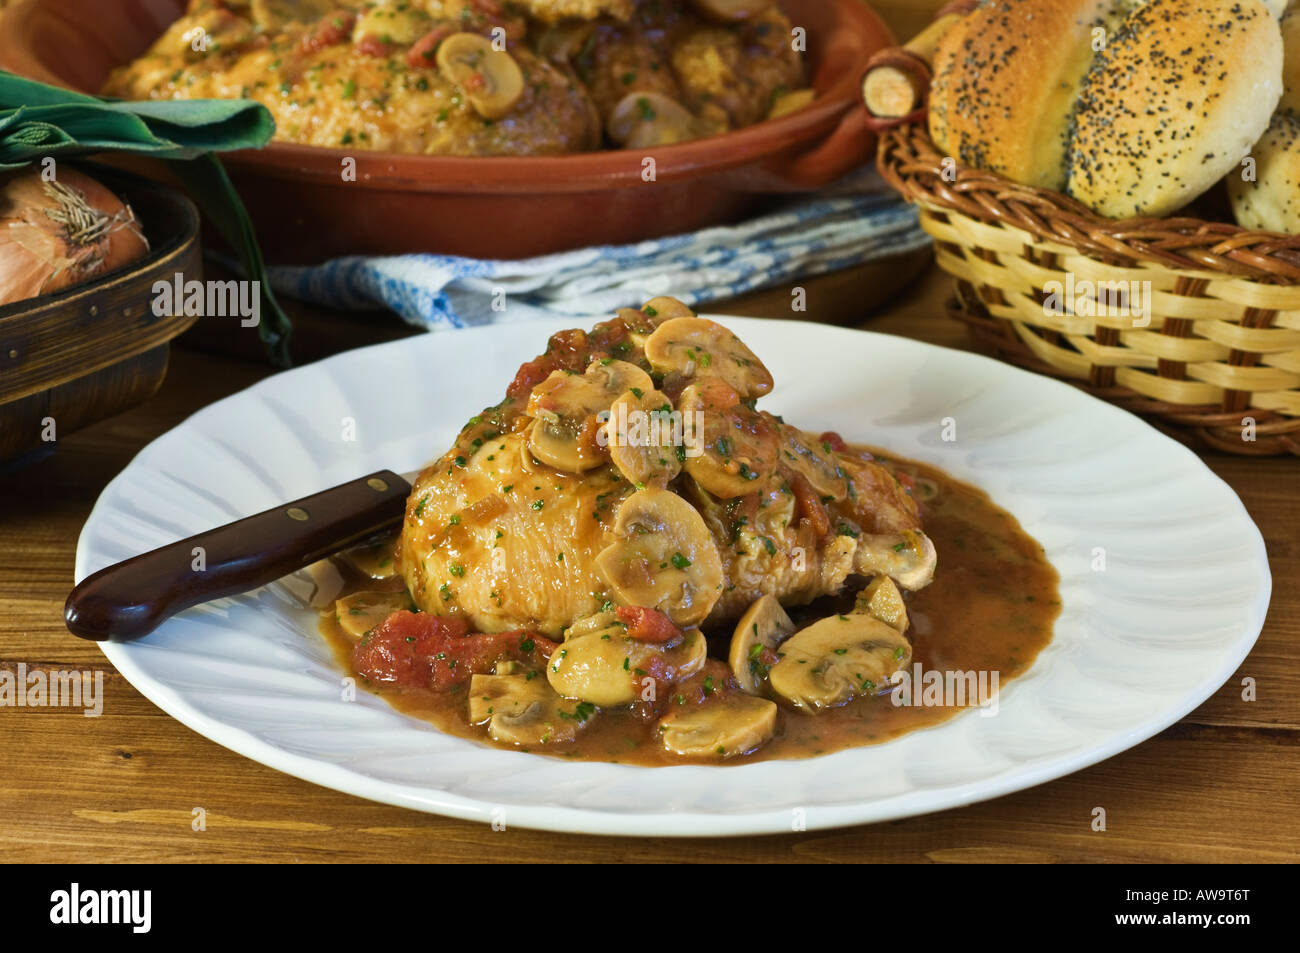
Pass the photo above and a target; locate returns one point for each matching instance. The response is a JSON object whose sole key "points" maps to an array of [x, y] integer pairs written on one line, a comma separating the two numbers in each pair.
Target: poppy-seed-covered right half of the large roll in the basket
{"points": [[1173, 105]]}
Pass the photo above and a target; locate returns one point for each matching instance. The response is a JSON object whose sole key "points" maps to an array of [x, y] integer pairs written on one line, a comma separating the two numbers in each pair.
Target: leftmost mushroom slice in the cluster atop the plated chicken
{"points": [[567, 406]]}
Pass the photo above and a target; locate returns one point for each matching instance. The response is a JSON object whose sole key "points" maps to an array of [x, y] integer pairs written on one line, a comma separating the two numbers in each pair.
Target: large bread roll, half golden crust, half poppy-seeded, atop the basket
{"points": [[1133, 107]]}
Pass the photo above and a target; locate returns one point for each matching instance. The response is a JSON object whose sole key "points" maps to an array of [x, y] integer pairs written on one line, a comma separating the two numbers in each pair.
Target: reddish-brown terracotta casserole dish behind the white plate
{"points": [[492, 207]]}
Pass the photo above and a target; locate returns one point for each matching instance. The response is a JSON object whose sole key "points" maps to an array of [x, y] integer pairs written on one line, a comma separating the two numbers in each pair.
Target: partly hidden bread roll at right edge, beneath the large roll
{"points": [[1272, 202]]}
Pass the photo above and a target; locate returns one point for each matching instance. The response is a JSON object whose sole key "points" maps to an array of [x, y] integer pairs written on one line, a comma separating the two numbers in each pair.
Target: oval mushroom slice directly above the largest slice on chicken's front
{"points": [[647, 439]]}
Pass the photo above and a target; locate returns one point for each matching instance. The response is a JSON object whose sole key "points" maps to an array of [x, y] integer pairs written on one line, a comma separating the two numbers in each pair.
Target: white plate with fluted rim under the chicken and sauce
{"points": [[1137, 647]]}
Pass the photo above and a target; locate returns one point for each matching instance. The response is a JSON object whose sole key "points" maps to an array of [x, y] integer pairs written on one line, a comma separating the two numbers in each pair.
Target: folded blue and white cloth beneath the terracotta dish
{"points": [[437, 292]]}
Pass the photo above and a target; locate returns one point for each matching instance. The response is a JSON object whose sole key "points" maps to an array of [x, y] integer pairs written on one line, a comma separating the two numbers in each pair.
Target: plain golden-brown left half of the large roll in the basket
{"points": [[1006, 84]]}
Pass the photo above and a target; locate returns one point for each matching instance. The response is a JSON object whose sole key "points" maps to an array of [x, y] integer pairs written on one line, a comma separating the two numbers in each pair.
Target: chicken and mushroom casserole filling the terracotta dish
{"points": [[478, 77]]}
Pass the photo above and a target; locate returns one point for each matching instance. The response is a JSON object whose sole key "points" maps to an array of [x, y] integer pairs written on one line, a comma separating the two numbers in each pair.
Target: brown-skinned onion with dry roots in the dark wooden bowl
{"points": [[62, 233]]}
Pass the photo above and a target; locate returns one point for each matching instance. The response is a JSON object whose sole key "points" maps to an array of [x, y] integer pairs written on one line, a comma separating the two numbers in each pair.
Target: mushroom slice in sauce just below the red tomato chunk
{"points": [[523, 711]]}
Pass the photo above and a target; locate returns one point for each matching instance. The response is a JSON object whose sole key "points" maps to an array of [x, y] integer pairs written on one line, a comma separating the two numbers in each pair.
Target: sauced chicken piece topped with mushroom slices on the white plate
{"points": [[757, 508]]}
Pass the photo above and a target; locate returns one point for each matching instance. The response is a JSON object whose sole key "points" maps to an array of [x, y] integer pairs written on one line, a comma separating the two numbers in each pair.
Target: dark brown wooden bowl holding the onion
{"points": [[93, 350]]}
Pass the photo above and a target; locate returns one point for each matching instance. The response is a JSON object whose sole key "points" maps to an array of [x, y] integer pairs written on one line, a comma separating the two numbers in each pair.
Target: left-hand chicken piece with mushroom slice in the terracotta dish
{"points": [[392, 76]]}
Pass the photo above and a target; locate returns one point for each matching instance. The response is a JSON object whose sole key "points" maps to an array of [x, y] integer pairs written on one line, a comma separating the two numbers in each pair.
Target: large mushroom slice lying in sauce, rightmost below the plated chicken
{"points": [[838, 659]]}
